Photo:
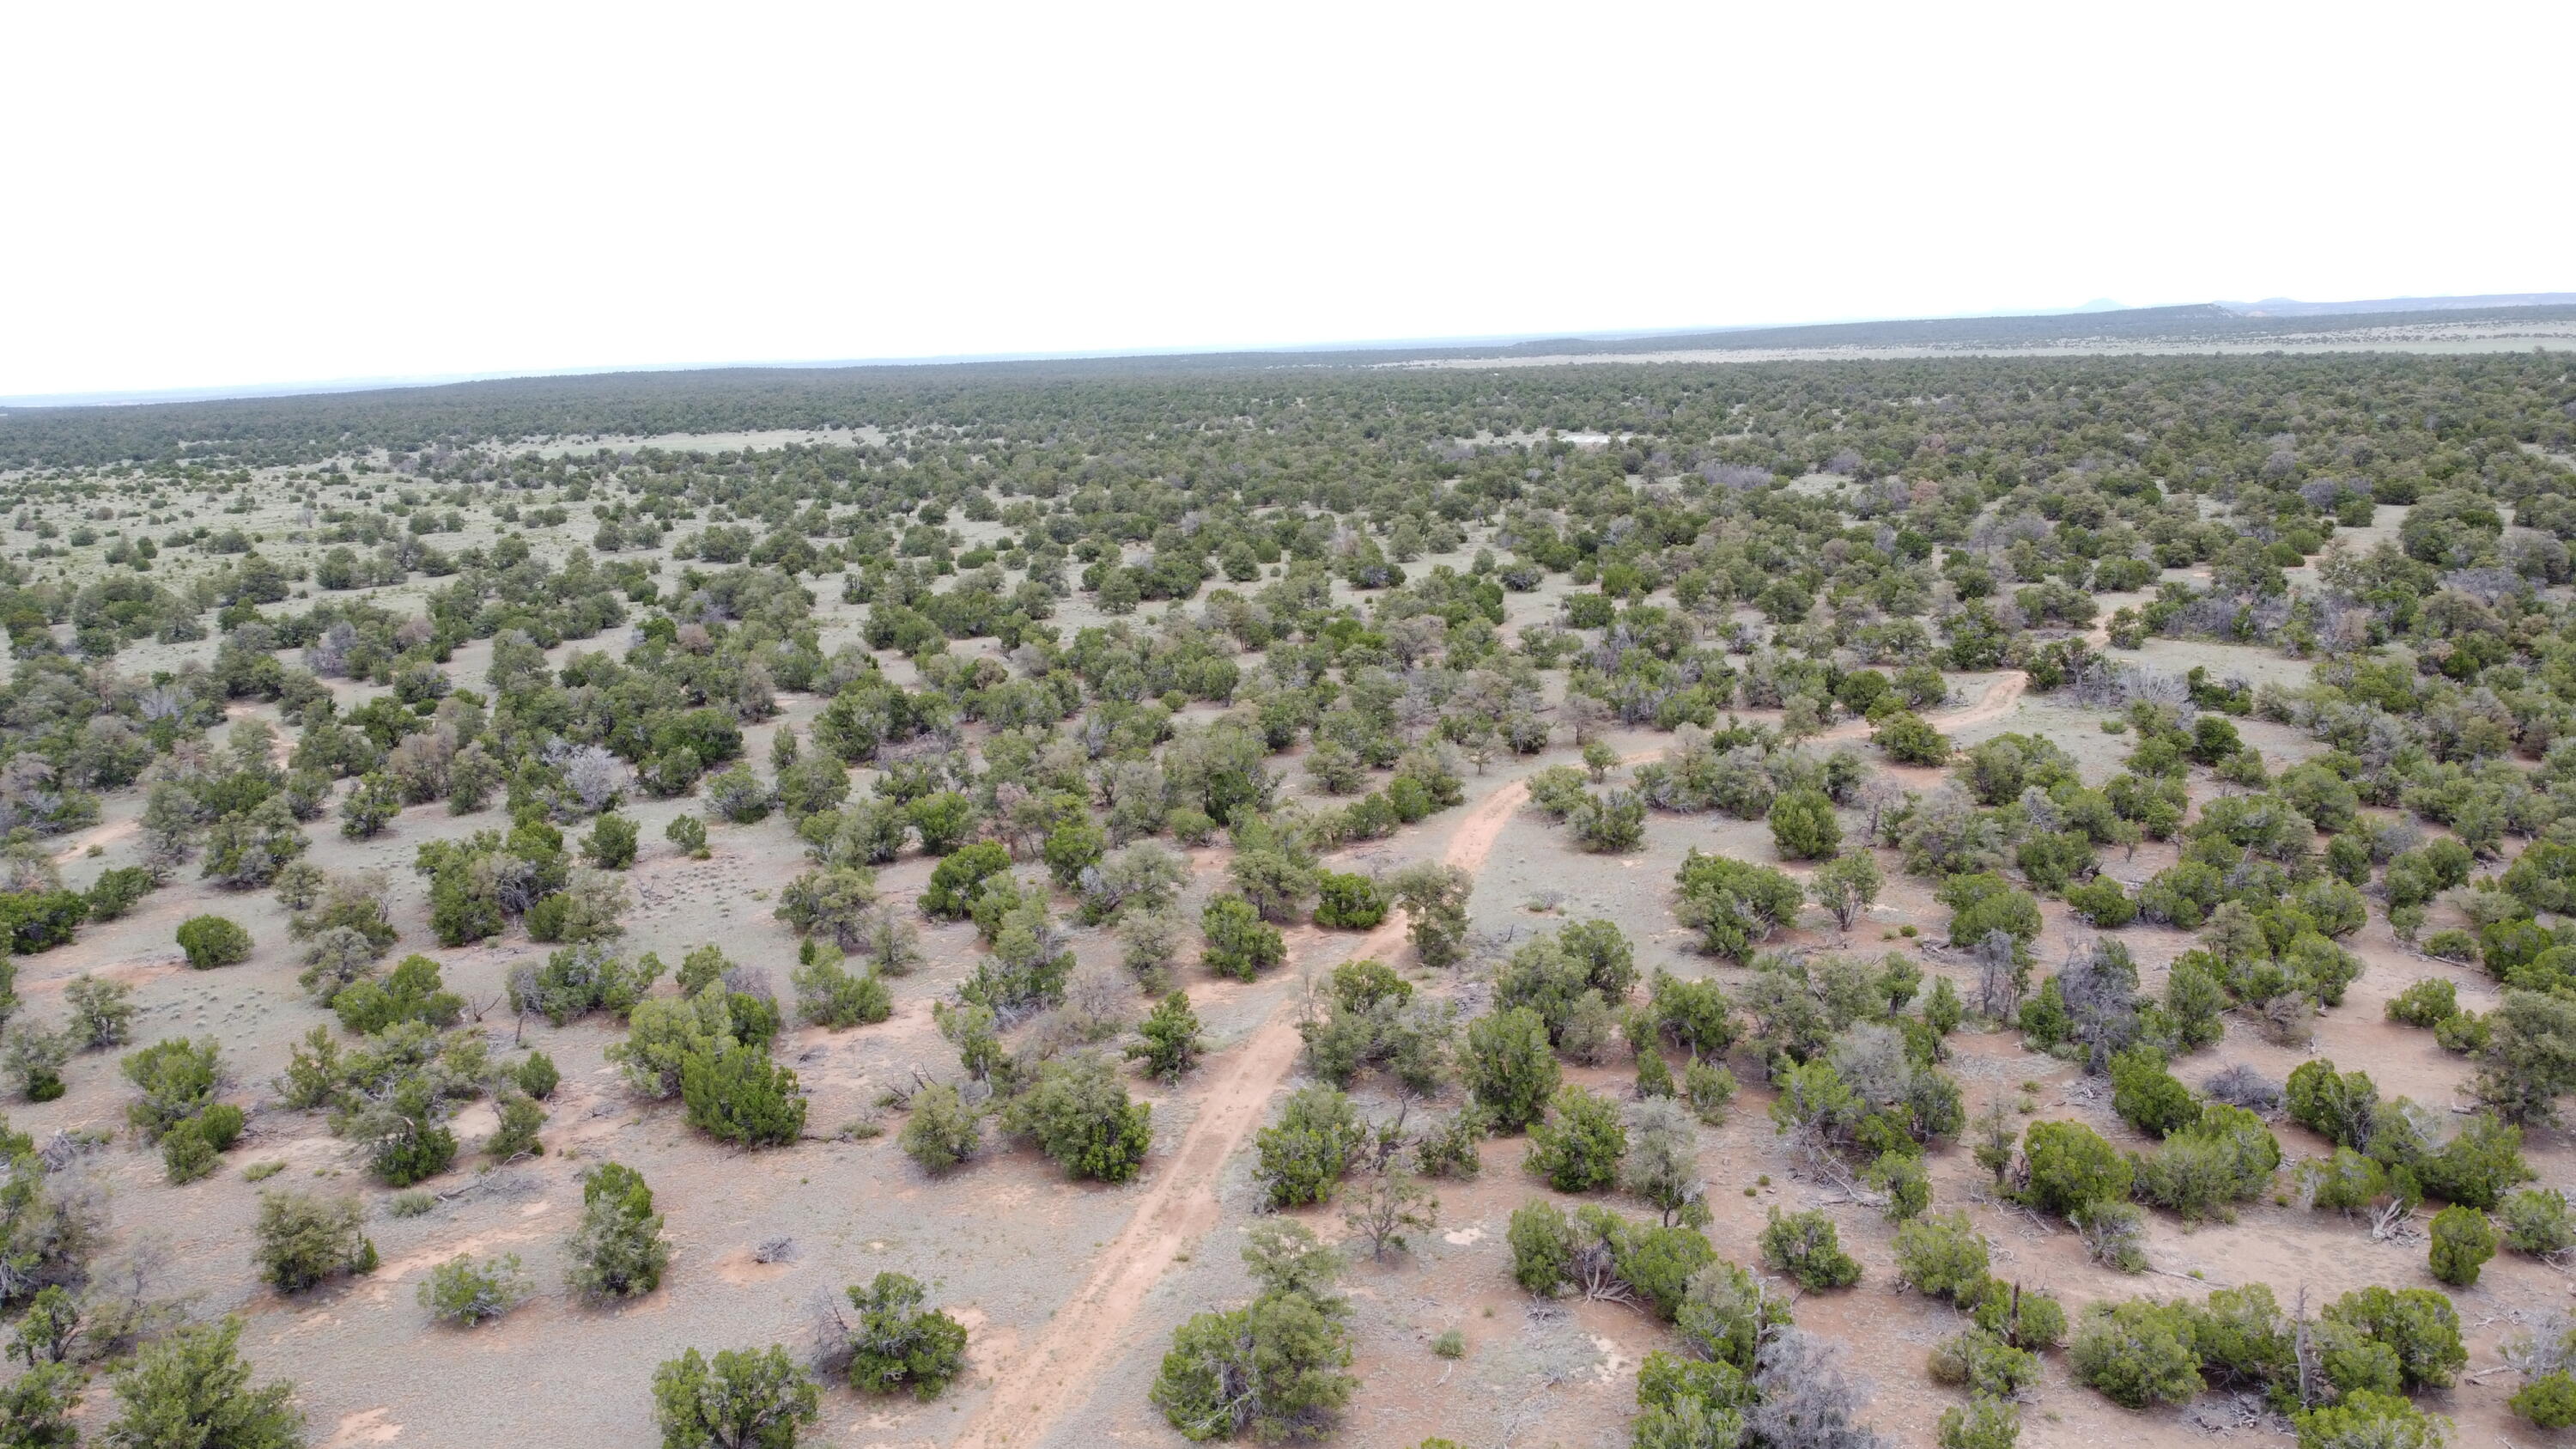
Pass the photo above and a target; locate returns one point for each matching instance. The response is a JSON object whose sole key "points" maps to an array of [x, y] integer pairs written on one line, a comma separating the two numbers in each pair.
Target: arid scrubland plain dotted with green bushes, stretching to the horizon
{"points": [[1856, 855]]}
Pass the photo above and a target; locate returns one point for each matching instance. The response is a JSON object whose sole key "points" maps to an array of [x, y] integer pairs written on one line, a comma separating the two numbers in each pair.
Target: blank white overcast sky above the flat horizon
{"points": [[256, 195]]}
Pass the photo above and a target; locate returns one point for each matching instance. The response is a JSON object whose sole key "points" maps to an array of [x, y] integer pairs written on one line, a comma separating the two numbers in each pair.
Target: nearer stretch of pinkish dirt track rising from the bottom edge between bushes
{"points": [[1060, 1365]]}
